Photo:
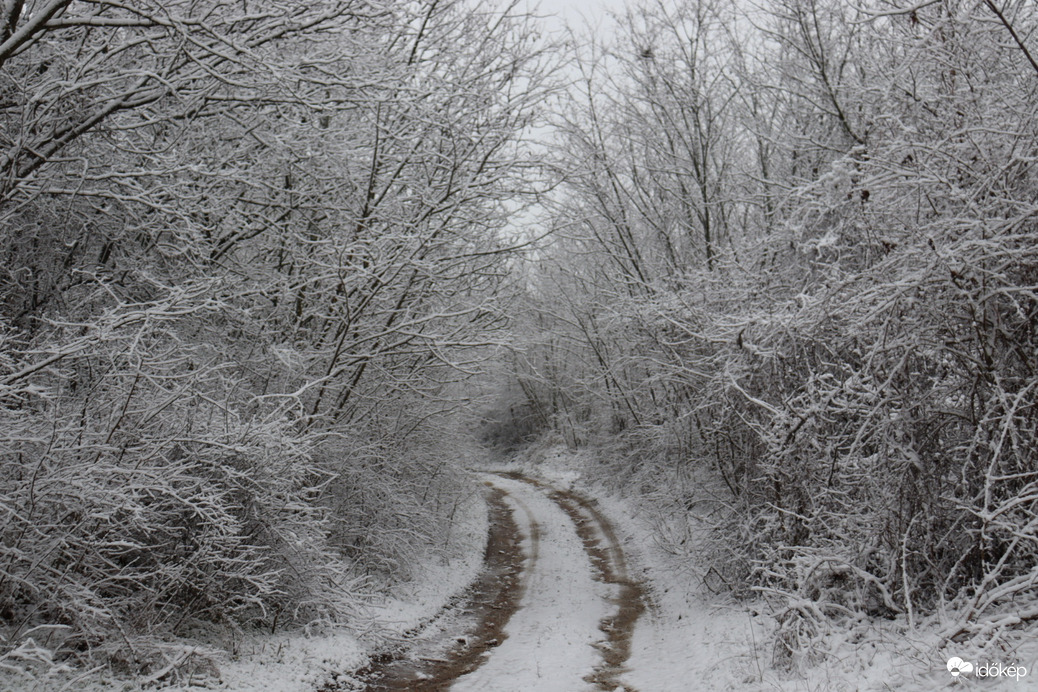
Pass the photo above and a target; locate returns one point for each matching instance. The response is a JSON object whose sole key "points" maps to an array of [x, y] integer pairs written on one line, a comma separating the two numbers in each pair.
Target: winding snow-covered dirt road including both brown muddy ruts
{"points": [[555, 617]]}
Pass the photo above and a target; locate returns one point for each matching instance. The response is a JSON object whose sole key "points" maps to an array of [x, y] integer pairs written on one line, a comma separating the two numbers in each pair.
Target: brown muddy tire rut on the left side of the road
{"points": [[486, 607]]}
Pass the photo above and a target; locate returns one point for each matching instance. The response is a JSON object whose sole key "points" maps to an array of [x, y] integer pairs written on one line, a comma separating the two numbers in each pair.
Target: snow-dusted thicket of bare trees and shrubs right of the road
{"points": [[798, 257]]}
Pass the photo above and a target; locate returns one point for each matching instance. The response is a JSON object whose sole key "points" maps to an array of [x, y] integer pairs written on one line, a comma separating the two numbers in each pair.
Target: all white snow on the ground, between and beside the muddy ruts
{"points": [[688, 639]]}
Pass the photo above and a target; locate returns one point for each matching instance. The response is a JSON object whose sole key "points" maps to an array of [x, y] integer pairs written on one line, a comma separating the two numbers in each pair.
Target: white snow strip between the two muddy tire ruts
{"points": [[553, 639]]}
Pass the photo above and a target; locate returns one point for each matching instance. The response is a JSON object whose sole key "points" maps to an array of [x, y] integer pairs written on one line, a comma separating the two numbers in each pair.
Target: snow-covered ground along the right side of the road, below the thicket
{"points": [[692, 640]]}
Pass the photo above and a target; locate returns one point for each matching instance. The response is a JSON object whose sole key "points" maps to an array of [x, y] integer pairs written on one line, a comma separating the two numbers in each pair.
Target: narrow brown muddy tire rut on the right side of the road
{"points": [[609, 567]]}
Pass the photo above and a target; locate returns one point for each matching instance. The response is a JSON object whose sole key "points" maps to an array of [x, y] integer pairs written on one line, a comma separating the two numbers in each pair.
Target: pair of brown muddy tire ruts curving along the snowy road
{"points": [[485, 608]]}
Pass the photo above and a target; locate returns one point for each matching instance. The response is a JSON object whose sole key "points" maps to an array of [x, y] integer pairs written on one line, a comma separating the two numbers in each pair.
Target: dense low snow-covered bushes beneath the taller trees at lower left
{"points": [[158, 506]]}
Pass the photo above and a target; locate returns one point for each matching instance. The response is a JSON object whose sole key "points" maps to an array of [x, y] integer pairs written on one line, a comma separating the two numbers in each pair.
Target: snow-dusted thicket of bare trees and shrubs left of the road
{"points": [[249, 250]]}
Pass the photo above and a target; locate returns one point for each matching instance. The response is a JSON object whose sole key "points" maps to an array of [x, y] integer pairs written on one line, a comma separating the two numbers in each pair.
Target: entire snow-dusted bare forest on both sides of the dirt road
{"points": [[275, 274]]}
